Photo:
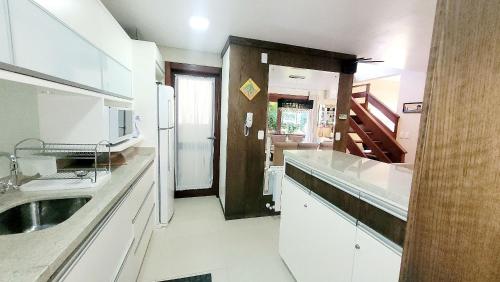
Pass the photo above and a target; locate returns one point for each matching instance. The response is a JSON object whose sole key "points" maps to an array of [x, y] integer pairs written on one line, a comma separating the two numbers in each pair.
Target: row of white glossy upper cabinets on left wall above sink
{"points": [[45, 47]]}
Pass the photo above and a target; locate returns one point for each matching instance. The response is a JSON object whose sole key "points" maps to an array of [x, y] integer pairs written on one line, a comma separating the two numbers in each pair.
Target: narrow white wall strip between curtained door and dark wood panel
{"points": [[223, 127]]}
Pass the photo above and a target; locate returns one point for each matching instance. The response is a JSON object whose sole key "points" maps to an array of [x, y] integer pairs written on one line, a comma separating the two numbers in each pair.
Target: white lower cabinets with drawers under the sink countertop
{"points": [[115, 250]]}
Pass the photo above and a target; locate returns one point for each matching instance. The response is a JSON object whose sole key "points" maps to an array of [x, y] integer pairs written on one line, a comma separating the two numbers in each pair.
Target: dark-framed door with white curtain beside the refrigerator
{"points": [[197, 95]]}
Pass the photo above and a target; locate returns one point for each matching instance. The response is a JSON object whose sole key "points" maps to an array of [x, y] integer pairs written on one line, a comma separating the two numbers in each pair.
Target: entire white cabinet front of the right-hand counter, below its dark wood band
{"points": [[320, 243]]}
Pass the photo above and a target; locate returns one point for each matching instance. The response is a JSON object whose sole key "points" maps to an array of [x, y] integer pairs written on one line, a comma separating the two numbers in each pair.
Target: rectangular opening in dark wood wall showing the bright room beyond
{"points": [[300, 111]]}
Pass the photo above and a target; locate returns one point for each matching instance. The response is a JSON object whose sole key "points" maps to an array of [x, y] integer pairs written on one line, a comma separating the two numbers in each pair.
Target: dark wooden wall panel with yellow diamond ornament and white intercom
{"points": [[246, 155]]}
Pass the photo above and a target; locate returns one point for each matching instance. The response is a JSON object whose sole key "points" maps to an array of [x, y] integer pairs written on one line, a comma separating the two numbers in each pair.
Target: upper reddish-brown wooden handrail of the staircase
{"points": [[379, 105]]}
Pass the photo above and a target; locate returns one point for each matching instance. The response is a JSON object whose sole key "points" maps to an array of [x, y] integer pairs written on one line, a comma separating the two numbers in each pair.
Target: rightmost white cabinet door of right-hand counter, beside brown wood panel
{"points": [[373, 260]]}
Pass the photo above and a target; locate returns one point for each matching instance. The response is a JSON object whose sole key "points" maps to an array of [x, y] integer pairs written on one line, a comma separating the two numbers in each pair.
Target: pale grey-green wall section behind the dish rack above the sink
{"points": [[18, 117]]}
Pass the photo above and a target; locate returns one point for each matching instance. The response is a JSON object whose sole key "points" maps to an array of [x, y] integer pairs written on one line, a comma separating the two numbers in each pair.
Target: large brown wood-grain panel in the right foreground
{"points": [[454, 218]]}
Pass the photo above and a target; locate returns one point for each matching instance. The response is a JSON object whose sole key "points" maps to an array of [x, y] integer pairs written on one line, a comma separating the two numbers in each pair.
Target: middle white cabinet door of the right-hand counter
{"points": [[332, 237]]}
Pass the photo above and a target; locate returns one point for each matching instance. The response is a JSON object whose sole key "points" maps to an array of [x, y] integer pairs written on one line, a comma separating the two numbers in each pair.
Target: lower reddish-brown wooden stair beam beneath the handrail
{"points": [[379, 132]]}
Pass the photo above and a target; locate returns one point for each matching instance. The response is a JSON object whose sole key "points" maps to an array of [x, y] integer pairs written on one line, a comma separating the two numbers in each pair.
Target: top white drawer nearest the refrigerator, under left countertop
{"points": [[139, 192]]}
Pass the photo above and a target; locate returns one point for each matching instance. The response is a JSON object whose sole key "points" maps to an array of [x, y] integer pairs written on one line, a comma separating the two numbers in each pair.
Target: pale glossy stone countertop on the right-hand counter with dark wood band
{"points": [[385, 185]]}
